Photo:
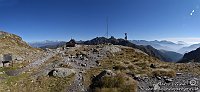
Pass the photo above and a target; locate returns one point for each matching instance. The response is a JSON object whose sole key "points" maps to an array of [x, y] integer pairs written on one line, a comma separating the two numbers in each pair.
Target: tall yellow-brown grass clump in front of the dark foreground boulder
{"points": [[119, 83]]}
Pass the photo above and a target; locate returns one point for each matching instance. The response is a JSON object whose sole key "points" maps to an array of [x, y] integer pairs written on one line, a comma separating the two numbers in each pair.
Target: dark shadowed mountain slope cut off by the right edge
{"points": [[192, 56]]}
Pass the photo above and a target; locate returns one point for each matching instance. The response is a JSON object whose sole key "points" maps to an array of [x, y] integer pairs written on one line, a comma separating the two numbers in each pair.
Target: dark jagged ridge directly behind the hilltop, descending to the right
{"points": [[147, 49]]}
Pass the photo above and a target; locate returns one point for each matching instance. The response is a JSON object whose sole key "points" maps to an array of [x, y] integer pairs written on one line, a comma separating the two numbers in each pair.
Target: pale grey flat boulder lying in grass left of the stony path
{"points": [[61, 72]]}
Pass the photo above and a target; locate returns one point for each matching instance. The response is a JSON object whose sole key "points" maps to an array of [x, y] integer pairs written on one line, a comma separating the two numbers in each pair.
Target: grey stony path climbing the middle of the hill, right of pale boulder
{"points": [[80, 67]]}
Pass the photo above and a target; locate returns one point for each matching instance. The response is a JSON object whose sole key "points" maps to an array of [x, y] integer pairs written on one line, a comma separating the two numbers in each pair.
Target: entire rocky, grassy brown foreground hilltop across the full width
{"points": [[100, 67]]}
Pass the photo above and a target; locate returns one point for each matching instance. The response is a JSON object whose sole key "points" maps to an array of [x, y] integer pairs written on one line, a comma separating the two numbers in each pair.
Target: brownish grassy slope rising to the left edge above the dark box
{"points": [[13, 44]]}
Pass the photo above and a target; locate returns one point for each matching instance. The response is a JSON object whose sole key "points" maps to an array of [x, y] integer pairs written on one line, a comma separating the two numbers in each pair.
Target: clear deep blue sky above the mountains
{"points": [[37, 20]]}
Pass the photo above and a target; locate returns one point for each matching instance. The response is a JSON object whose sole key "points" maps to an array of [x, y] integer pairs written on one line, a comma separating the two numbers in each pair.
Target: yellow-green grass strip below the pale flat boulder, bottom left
{"points": [[42, 84]]}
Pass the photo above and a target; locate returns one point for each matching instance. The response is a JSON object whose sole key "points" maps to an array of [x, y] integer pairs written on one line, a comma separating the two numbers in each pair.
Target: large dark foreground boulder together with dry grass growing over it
{"points": [[107, 79]]}
